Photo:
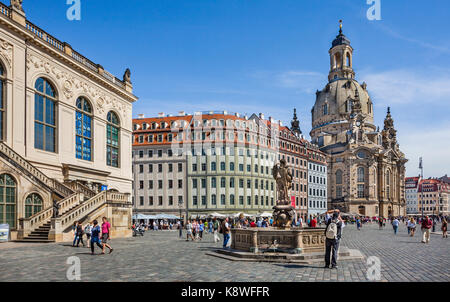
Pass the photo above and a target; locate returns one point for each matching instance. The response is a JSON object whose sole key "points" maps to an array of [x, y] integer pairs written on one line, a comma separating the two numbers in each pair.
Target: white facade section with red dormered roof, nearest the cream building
{"points": [[159, 172]]}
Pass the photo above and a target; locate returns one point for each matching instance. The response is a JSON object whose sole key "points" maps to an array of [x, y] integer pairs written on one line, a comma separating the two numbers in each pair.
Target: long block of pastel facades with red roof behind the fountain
{"points": [[221, 162]]}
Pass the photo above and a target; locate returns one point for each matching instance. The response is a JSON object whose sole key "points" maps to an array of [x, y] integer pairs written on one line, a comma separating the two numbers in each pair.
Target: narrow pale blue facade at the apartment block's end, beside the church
{"points": [[317, 181]]}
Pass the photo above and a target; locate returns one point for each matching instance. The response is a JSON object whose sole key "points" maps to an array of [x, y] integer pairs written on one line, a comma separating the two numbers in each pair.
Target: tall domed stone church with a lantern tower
{"points": [[366, 169]]}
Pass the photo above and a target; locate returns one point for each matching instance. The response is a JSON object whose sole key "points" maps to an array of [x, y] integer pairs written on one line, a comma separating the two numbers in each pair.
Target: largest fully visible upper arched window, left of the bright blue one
{"points": [[45, 116]]}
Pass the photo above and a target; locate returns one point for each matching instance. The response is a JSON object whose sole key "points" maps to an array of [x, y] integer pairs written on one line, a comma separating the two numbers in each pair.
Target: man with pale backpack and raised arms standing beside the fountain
{"points": [[333, 232]]}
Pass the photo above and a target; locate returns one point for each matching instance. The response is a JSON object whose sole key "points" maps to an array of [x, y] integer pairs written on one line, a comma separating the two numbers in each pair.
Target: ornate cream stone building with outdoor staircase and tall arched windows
{"points": [[65, 143]]}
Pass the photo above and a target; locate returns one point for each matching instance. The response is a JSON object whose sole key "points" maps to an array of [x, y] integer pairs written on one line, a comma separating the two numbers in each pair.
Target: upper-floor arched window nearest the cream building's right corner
{"points": [[112, 140]]}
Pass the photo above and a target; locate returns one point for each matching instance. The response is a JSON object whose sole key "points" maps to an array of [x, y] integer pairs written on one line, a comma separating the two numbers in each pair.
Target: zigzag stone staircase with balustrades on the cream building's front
{"points": [[77, 202]]}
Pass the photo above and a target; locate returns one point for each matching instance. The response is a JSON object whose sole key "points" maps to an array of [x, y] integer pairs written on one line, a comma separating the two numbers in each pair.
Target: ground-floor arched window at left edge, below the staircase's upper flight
{"points": [[8, 193]]}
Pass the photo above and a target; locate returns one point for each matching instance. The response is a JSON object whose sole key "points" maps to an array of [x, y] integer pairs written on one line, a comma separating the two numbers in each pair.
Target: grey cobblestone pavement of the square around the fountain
{"points": [[163, 256]]}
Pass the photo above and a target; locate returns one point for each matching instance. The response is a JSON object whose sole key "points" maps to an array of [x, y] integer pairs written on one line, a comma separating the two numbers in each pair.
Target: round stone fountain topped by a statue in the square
{"points": [[283, 242]]}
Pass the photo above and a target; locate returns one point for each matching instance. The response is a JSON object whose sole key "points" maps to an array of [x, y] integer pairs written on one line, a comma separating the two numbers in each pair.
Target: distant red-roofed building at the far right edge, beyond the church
{"points": [[433, 197]]}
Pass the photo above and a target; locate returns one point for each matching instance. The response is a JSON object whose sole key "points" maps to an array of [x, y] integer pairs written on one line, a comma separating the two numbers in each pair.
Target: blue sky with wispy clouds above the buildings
{"points": [[270, 56]]}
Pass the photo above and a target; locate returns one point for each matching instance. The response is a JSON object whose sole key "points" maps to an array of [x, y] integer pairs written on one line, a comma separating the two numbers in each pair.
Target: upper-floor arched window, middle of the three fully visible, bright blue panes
{"points": [[83, 129]]}
